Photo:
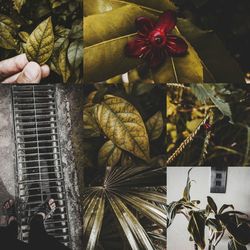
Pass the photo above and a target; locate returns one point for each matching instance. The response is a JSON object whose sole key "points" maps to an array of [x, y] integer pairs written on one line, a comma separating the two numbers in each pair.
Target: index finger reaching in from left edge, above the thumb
{"points": [[12, 66]]}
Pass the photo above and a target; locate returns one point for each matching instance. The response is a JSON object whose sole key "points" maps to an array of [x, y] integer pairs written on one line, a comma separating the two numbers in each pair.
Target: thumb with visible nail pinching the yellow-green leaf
{"points": [[31, 73]]}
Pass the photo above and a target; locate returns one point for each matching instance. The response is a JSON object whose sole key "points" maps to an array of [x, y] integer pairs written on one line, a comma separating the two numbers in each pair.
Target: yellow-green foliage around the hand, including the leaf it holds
{"points": [[48, 31]]}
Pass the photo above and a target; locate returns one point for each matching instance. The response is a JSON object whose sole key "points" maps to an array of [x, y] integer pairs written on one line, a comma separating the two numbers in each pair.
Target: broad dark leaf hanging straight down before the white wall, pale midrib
{"points": [[196, 228]]}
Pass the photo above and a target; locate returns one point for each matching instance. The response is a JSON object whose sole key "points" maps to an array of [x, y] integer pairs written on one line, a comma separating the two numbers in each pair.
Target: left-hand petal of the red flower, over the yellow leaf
{"points": [[136, 48]]}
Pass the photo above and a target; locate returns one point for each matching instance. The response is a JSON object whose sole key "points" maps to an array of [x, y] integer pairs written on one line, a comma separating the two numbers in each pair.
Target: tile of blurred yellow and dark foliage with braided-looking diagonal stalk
{"points": [[208, 125]]}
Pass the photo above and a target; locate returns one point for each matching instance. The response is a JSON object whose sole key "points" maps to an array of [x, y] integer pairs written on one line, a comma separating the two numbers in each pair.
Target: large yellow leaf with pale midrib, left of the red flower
{"points": [[105, 37]]}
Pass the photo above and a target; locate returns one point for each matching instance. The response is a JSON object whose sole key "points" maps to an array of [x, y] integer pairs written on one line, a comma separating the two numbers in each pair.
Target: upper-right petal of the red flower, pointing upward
{"points": [[167, 21]]}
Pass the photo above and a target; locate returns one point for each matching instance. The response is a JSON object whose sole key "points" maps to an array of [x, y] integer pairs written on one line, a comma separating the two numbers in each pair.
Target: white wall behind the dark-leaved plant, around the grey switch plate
{"points": [[237, 193]]}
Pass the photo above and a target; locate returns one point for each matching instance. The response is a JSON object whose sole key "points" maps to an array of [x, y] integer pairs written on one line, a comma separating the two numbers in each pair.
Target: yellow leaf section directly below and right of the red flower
{"points": [[187, 68]]}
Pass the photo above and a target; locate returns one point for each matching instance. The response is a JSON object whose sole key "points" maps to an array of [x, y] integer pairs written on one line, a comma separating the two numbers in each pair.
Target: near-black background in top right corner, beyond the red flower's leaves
{"points": [[228, 18]]}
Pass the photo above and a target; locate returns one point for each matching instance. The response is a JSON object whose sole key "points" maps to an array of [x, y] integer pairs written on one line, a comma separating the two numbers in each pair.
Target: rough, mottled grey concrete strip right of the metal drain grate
{"points": [[70, 111]]}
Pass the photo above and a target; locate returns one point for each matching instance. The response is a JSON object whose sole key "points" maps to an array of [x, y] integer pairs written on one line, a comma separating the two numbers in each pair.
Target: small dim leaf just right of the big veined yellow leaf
{"points": [[155, 126]]}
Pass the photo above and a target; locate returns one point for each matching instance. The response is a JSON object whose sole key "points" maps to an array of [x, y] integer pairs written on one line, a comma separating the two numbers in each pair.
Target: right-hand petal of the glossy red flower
{"points": [[176, 45]]}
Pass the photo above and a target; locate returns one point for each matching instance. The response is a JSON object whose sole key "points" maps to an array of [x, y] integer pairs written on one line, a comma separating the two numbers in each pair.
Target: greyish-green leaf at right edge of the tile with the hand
{"points": [[75, 53]]}
